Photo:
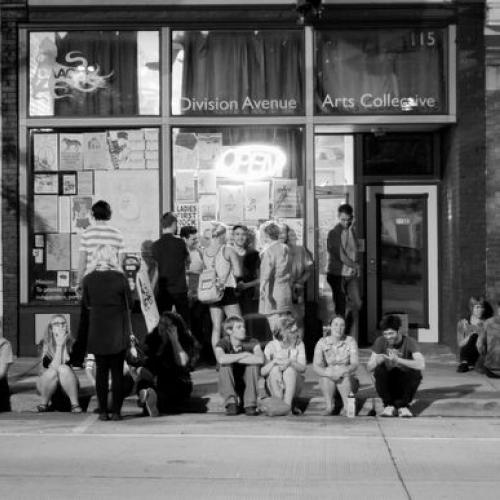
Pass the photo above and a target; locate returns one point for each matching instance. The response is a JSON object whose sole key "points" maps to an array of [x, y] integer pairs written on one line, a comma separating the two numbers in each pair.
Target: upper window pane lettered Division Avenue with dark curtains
{"points": [[237, 72]]}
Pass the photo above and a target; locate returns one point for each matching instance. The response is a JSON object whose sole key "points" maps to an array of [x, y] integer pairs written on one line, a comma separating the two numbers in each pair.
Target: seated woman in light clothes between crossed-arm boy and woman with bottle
{"points": [[285, 364]]}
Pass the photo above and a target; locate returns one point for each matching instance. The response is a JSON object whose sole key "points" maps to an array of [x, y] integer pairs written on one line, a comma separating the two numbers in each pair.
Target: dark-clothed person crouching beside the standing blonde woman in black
{"points": [[165, 380]]}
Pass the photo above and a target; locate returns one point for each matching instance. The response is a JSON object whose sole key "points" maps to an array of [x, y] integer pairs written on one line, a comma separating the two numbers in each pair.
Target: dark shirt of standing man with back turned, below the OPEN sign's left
{"points": [[171, 254]]}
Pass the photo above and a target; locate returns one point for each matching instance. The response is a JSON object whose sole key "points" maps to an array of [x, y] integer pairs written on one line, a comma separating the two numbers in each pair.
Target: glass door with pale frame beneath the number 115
{"points": [[402, 265]]}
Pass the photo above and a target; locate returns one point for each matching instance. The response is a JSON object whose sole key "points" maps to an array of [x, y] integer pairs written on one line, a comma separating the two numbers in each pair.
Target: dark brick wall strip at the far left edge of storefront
{"points": [[10, 15]]}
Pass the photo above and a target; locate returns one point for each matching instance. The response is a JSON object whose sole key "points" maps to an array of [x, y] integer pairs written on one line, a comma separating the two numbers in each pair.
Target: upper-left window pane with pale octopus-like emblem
{"points": [[94, 73]]}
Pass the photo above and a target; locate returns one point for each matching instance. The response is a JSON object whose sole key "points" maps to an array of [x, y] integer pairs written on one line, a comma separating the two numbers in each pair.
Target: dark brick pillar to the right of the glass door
{"points": [[462, 211]]}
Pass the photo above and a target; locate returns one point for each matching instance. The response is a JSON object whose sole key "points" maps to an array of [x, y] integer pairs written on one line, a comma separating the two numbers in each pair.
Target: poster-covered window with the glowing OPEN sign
{"points": [[238, 175]]}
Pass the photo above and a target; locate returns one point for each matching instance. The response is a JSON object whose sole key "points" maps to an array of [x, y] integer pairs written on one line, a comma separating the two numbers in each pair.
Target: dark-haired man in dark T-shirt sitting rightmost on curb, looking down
{"points": [[396, 363]]}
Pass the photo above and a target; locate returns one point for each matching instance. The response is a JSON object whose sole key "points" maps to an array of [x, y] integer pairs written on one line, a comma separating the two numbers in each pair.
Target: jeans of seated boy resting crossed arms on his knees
{"points": [[236, 380]]}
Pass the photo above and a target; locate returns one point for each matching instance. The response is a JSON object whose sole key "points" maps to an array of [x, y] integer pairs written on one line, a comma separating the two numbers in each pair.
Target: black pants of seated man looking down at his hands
{"points": [[396, 387]]}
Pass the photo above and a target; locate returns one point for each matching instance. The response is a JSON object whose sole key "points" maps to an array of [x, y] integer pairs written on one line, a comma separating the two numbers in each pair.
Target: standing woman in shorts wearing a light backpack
{"points": [[226, 263]]}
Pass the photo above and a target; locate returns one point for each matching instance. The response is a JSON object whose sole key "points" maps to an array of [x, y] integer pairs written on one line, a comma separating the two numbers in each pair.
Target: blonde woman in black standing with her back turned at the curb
{"points": [[107, 295]]}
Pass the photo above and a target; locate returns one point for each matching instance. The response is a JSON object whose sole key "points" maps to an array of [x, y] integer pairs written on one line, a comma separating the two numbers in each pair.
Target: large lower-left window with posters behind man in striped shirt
{"points": [[72, 170]]}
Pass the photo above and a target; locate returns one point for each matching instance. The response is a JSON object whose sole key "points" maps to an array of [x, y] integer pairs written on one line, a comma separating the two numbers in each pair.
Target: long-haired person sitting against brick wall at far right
{"points": [[469, 330]]}
